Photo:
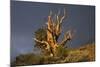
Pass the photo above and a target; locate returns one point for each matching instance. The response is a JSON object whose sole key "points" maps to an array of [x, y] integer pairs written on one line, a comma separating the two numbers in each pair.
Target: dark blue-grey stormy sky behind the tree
{"points": [[27, 17]]}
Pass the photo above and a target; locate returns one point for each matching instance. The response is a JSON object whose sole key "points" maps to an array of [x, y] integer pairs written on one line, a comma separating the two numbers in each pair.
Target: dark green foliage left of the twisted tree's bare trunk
{"points": [[41, 35]]}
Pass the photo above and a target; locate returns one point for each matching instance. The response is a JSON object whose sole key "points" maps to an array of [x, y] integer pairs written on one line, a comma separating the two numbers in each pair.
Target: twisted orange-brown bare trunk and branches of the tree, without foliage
{"points": [[53, 33]]}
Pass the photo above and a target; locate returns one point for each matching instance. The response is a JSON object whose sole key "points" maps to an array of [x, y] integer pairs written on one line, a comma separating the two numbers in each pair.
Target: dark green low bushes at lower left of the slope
{"points": [[27, 59]]}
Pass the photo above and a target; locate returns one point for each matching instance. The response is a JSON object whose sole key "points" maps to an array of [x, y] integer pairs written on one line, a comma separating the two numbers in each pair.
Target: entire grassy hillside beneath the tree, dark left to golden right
{"points": [[82, 54]]}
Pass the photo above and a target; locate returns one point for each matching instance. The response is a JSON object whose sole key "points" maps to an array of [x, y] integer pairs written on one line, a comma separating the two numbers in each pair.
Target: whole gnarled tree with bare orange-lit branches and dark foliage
{"points": [[52, 33]]}
